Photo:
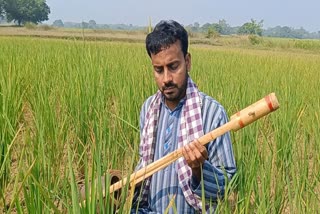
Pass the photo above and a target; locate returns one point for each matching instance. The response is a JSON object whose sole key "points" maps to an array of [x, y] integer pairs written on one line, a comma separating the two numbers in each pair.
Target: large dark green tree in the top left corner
{"points": [[22, 11]]}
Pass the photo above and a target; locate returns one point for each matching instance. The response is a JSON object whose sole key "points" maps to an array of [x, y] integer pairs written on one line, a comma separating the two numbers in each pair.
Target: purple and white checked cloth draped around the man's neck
{"points": [[191, 128]]}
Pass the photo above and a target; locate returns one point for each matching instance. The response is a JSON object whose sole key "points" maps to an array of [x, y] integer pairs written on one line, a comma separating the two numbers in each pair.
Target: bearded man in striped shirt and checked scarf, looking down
{"points": [[175, 117]]}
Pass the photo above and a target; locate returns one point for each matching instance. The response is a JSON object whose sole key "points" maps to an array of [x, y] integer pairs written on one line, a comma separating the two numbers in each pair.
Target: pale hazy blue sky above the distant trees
{"points": [[292, 13]]}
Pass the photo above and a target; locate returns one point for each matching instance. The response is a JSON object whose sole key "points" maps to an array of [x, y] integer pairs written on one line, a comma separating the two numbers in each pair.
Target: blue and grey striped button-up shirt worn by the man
{"points": [[219, 166]]}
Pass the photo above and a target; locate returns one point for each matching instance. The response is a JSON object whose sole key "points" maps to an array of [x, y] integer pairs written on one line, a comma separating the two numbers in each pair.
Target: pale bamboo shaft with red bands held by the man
{"points": [[239, 120]]}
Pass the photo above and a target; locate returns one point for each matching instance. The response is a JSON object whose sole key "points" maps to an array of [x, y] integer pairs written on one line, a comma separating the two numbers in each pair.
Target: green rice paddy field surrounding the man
{"points": [[69, 111]]}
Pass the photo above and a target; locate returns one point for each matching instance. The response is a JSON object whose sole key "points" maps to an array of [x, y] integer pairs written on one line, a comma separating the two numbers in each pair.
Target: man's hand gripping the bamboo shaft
{"points": [[195, 155]]}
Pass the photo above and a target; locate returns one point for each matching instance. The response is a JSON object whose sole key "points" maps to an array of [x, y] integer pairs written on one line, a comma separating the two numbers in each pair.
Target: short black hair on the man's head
{"points": [[166, 33]]}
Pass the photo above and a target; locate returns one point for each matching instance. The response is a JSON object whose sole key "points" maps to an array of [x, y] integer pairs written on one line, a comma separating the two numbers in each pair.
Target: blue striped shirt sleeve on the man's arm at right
{"points": [[220, 166]]}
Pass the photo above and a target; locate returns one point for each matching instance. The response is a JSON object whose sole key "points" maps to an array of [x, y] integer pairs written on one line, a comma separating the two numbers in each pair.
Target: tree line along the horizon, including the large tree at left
{"points": [[36, 11]]}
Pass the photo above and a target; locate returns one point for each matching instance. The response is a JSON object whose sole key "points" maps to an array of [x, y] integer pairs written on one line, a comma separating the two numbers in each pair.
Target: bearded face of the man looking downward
{"points": [[171, 73]]}
